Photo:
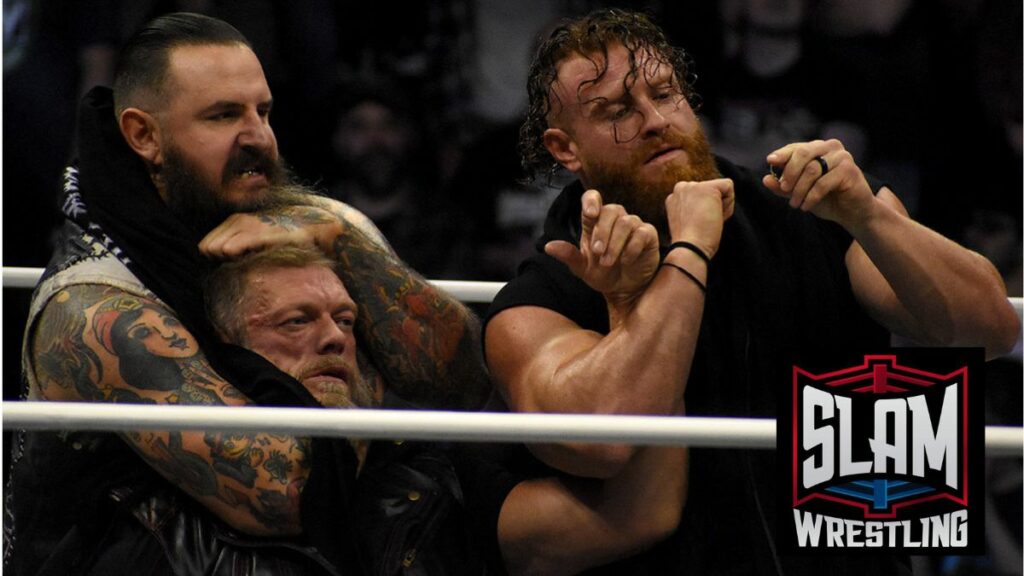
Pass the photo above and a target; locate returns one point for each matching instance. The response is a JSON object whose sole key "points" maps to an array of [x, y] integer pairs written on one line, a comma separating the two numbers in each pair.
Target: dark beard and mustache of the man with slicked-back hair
{"points": [[201, 208]]}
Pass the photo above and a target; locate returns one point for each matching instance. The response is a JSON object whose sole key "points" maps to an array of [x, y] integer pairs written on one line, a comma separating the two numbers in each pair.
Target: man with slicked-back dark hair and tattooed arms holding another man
{"points": [[179, 168]]}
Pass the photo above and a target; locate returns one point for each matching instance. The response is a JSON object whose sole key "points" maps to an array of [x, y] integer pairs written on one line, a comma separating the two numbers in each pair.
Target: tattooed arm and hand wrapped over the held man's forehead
{"points": [[424, 342]]}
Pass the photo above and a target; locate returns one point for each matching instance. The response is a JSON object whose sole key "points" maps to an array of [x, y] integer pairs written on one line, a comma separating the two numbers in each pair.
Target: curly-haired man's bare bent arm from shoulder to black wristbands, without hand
{"points": [[547, 364]]}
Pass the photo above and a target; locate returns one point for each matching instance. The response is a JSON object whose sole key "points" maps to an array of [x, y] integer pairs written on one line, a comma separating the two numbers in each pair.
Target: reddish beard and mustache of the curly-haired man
{"points": [[621, 185]]}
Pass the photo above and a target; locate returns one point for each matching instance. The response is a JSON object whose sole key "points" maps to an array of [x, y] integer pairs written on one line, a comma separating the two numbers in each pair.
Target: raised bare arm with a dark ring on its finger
{"points": [[911, 279]]}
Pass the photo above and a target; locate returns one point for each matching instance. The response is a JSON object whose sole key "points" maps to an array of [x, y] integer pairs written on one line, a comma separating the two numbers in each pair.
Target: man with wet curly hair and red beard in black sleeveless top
{"points": [[671, 281]]}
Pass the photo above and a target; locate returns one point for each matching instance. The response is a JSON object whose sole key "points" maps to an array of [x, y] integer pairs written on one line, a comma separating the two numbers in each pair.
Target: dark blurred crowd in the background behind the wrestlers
{"points": [[411, 111]]}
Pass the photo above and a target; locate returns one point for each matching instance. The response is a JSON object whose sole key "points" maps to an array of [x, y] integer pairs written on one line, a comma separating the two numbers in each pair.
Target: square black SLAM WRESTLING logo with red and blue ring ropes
{"points": [[885, 452]]}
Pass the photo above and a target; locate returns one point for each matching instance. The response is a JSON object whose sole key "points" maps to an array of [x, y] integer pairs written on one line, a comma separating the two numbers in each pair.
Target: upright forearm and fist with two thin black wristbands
{"points": [[643, 365]]}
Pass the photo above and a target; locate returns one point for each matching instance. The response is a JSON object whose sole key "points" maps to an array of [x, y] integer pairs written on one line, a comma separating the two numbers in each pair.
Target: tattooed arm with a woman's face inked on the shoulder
{"points": [[98, 344]]}
